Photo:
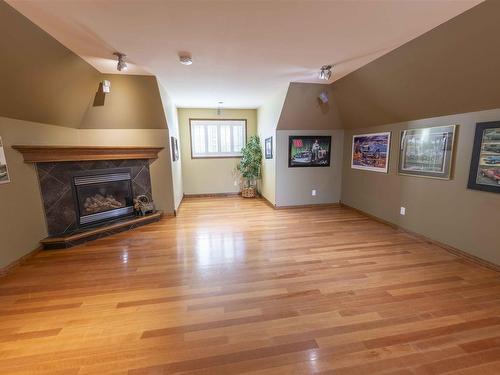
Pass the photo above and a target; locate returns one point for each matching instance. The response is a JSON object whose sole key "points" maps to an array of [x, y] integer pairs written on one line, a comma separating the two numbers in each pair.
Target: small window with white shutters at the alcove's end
{"points": [[217, 138]]}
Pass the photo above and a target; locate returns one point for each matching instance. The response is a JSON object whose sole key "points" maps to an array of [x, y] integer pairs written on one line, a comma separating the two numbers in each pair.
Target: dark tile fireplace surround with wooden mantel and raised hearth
{"points": [[58, 169]]}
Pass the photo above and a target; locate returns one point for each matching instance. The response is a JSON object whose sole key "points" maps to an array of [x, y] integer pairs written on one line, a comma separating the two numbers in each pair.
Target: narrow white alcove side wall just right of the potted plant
{"points": [[267, 120]]}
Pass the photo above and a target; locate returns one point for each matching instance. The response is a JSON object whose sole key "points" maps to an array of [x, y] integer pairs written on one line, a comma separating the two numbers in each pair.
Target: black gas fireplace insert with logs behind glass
{"points": [[103, 195]]}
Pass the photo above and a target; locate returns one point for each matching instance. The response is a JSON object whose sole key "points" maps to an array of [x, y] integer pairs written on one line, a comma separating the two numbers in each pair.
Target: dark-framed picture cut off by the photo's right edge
{"points": [[484, 171]]}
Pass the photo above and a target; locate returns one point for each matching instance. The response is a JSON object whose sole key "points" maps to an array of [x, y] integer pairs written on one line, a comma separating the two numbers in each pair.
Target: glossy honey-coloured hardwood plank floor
{"points": [[232, 286]]}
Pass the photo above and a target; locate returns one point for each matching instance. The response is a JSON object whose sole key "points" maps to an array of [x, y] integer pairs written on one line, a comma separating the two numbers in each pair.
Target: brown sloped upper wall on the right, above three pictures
{"points": [[453, 68]]}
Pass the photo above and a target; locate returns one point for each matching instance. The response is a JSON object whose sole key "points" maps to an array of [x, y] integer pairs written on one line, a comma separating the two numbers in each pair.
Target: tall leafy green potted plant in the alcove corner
{"points": [[249, 166]]}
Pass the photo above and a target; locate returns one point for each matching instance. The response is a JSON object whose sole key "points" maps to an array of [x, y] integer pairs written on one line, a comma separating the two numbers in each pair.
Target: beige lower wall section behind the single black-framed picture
{"points": [[294, 185]]}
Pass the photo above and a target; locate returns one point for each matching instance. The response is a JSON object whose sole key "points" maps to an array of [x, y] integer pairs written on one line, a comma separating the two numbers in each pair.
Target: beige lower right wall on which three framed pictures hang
{"points": [[445, 211]]}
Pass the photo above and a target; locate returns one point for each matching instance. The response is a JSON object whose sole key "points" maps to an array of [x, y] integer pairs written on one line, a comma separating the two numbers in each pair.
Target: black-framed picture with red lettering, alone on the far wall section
{"points": [[309, 151]]}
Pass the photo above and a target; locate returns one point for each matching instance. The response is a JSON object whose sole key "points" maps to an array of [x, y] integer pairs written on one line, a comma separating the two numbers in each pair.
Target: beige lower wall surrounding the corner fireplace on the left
{"points": [[22, 218]]}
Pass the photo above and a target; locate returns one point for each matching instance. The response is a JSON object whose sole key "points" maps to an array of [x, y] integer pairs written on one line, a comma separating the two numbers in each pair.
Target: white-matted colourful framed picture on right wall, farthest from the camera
{"points": [[370, 152]]}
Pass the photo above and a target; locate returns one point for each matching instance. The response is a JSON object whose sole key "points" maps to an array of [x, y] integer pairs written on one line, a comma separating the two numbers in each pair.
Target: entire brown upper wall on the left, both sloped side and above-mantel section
{"points": [[43, 81]]}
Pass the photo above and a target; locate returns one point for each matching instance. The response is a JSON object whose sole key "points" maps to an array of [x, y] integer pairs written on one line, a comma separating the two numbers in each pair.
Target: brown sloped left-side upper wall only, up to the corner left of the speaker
{"points": [[41, 80]]}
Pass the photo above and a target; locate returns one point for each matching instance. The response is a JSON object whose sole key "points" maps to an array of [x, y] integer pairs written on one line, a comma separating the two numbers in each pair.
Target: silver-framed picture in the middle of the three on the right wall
{"points": [[427, 152]]}
